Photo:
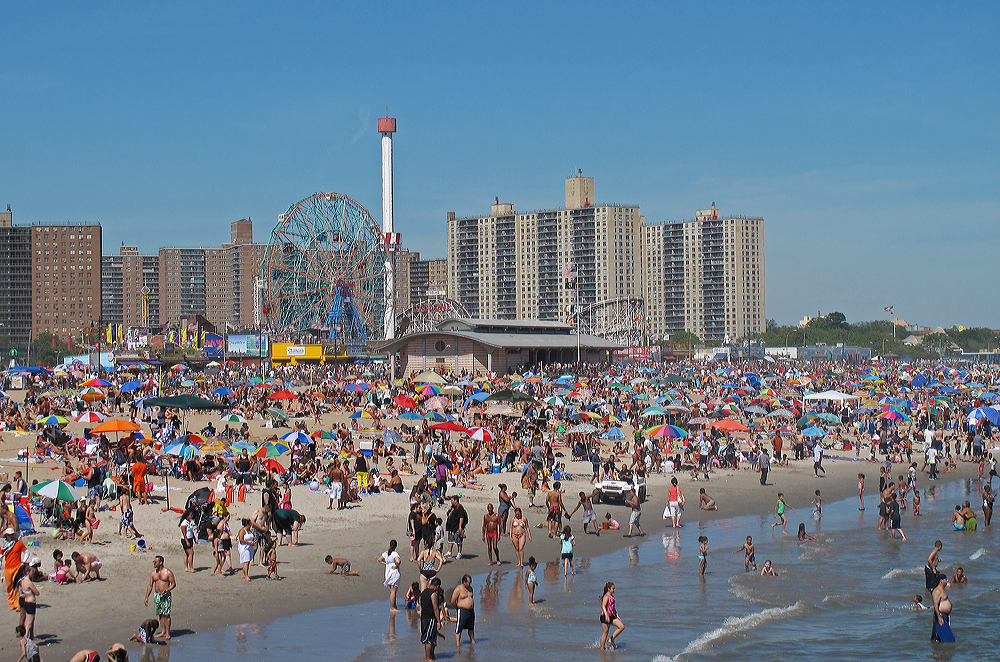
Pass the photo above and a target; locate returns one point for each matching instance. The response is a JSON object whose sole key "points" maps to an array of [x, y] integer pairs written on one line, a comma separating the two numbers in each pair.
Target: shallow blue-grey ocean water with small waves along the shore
{"points": [[845, 596]]}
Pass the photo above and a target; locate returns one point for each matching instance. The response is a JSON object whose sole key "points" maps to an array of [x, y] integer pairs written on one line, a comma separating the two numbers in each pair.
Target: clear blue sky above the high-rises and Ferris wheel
{"points": [[865, 134]]}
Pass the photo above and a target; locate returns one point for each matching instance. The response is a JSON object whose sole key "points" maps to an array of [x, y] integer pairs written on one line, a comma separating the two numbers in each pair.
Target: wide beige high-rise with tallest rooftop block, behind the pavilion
{"points": [[535, 265]]}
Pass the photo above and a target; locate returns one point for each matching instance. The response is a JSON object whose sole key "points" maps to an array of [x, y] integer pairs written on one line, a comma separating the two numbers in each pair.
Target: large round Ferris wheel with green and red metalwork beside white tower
{"points": [[324, 270]]}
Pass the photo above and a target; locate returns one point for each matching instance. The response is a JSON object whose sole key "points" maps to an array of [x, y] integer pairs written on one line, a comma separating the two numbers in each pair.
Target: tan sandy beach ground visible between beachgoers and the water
{"points": [[96, 614]]}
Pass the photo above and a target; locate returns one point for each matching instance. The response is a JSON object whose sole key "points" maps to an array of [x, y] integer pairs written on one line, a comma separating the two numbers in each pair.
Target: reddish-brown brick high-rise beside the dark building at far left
{"points": [[66, 279]]}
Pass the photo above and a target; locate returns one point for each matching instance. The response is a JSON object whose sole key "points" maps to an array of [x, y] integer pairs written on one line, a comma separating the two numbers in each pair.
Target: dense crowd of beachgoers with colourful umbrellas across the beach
{"points": [[350, 432]]}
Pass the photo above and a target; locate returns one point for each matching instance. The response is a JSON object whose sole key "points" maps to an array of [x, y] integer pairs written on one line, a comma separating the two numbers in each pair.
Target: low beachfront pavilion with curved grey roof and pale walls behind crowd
{"points": [[478, 346]]}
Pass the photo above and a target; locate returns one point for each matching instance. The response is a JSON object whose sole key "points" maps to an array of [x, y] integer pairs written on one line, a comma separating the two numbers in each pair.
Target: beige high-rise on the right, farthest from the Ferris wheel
{"points": [[705, 276]]}
